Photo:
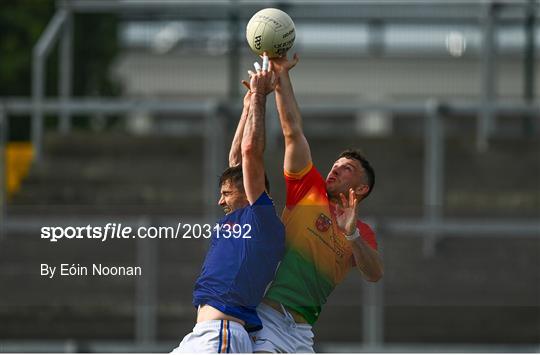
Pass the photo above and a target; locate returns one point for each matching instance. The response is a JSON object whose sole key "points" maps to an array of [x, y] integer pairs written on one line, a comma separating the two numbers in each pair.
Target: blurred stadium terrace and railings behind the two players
{"points": [[123, 112]]}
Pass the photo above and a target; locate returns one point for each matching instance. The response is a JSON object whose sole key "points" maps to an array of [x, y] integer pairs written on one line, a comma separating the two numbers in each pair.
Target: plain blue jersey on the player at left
{"points": [[237, 271]]}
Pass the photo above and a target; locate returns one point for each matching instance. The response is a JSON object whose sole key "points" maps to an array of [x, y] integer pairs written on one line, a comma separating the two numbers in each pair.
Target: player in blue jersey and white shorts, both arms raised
{"points": [[238, 268]]}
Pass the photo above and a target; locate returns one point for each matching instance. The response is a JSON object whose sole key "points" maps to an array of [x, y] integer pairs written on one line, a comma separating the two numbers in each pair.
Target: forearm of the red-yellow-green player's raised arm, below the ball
{"points": [[289, 113]]}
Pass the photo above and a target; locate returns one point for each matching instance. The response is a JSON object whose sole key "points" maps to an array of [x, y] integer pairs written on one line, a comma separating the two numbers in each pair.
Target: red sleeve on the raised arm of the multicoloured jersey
{"points": [[298, 184]]}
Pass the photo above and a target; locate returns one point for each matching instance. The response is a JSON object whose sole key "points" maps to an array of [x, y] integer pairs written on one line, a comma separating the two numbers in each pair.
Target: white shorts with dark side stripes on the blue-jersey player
{"points": [[216, 336]]}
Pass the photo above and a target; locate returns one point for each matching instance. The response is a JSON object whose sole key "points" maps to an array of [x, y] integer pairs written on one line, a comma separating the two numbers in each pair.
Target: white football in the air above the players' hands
{"points": [[270, 30]]}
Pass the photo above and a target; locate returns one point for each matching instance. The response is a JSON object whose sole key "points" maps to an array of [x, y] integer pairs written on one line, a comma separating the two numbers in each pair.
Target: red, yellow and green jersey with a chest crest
{"points": [[317, 255]]}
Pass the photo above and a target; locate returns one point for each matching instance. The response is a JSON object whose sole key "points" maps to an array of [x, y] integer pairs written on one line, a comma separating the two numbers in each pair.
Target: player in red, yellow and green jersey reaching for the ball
{"points": [[324, 238]]}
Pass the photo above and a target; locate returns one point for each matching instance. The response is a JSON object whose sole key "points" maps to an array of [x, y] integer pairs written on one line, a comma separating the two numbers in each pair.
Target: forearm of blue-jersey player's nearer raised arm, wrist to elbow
{"points": [[253, 140]]}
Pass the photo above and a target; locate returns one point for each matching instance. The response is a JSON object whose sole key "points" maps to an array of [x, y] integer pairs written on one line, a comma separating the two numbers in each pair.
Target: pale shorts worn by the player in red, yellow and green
{"points": [[280, 333]]}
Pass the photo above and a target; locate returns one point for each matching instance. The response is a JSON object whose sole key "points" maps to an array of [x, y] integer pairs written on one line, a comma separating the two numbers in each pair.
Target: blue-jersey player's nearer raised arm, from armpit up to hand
{"points": [[253, 140]]}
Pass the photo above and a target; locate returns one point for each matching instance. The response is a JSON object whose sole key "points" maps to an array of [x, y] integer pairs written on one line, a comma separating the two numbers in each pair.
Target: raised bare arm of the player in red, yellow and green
{"points": [[297, 152]]}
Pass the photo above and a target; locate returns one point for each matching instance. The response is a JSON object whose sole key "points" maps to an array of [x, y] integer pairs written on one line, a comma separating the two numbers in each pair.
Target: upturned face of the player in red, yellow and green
{"points": [[345, 174]]}
